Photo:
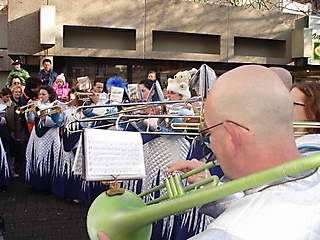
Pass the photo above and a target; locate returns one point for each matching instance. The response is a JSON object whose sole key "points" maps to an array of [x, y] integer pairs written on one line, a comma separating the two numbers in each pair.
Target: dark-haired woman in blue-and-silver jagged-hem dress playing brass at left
{"points": [[44, 143]]}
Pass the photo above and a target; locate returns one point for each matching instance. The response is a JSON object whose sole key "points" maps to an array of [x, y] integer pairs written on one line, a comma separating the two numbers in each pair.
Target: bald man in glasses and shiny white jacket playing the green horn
{"points": [[249, 117]]}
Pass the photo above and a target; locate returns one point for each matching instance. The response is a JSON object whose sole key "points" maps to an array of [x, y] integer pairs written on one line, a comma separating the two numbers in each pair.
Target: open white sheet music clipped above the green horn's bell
{"points": [[109, 154]]}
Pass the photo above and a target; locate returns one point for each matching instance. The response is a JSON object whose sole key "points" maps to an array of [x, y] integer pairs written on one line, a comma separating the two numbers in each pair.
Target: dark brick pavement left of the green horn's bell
{"points": [[29, 214]]}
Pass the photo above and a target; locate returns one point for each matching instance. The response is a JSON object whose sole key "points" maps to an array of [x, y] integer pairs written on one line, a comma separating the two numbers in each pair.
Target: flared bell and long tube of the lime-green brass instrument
{"points": [[127, 216]]}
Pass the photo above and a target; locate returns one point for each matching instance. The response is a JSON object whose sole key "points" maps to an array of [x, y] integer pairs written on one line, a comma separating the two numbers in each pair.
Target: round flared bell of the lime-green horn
{"points": [[104, 206]]}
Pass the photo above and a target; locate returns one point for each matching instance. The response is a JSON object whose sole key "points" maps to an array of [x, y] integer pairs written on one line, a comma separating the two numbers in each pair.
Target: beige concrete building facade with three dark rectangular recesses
{"points": [[101, 38]]}
